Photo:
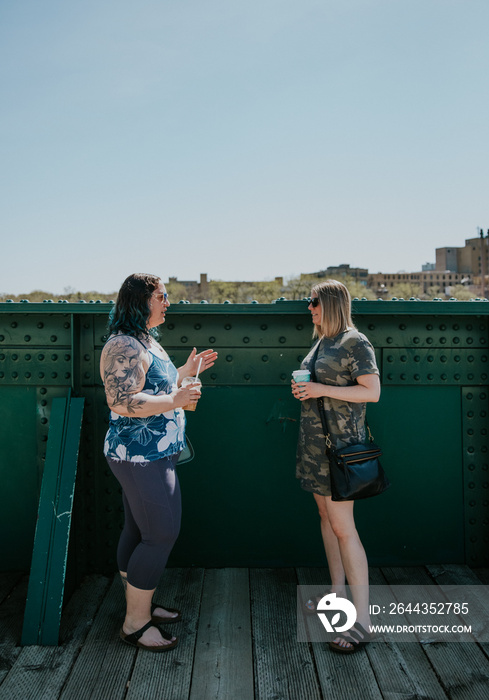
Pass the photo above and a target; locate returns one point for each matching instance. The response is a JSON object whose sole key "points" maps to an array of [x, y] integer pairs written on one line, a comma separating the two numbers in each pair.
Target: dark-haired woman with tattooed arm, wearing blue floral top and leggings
{"points": [[145, 437]]}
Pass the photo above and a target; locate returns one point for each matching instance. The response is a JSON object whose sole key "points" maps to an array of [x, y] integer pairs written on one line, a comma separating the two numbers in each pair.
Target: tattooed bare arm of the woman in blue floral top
{"points": [[123, 368]]}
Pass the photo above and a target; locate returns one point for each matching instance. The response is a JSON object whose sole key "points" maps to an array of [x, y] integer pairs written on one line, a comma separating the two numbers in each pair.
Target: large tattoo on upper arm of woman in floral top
{"points": [[123, 373]]}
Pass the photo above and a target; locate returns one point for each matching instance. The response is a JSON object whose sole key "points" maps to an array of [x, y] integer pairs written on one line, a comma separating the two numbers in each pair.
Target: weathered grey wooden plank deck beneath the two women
{"points": [[237, 641]]}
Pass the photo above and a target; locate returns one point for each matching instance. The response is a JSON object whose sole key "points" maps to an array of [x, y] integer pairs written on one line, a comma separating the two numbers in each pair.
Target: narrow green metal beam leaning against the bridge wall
{"points": [[48, 568]]}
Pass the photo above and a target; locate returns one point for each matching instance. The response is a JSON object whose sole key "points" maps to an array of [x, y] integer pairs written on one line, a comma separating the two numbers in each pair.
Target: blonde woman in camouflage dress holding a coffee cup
{"points": [[347, 378]]}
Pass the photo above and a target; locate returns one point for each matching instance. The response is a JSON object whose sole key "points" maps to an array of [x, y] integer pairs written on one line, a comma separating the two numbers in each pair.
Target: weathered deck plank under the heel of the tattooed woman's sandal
{"points": [[103, 667]]}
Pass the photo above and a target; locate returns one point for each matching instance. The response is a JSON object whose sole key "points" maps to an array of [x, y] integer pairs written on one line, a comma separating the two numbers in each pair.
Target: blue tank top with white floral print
{"points": [[134, 439]]}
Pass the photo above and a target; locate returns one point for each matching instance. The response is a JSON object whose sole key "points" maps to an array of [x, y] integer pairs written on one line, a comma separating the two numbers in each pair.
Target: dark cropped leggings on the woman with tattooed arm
{"points": [[152, 508]]}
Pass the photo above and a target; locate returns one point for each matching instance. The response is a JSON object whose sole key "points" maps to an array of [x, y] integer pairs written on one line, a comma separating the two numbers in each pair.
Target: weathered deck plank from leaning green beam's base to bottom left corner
{"points": [[40, 672]]}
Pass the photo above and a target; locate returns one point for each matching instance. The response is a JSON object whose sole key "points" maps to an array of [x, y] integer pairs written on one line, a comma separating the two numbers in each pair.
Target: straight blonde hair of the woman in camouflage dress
{"points": [[335, 302]]}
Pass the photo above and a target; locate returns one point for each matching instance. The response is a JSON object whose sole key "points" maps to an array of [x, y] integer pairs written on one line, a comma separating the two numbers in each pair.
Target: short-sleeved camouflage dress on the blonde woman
{"points": [[340, 361]]}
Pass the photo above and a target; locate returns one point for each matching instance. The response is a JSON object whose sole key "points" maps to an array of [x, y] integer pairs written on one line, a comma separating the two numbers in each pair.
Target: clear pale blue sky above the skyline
{"points": [[246, 140]]}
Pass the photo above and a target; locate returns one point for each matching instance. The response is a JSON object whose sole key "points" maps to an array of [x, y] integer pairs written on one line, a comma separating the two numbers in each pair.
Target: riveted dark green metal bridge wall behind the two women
{"points": [[242, 504]]}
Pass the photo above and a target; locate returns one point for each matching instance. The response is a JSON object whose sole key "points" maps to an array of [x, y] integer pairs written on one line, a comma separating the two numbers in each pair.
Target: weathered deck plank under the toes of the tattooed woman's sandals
{"points": [[168, 675]]}
